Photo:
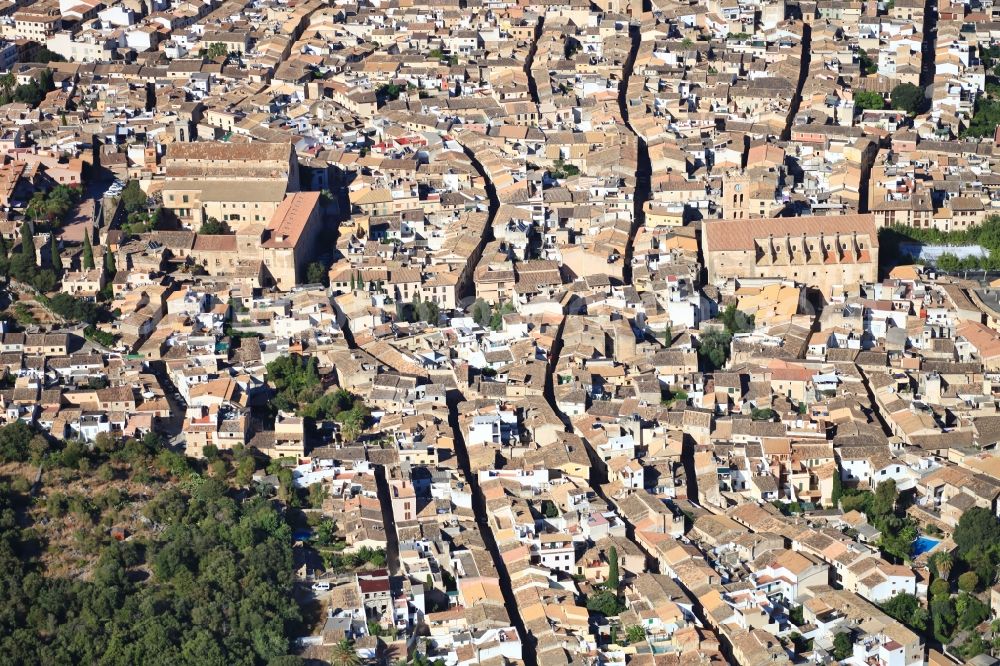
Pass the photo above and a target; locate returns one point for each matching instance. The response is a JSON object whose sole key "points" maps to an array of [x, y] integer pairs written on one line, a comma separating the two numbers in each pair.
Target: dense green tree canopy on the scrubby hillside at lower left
{"points": [[219, 589]]}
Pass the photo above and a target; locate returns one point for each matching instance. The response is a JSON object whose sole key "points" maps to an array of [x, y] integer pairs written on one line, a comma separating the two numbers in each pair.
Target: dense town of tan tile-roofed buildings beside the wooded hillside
{"points": [[605, 333]]}
